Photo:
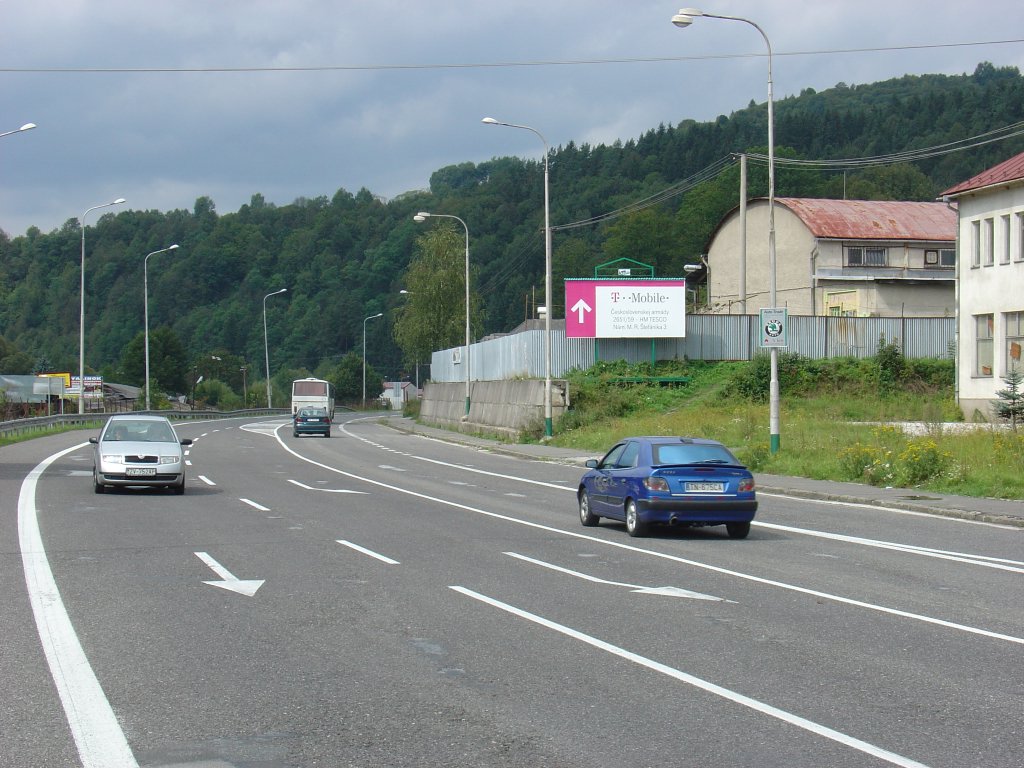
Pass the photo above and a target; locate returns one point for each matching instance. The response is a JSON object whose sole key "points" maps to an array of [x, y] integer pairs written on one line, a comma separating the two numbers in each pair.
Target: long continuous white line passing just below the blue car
{"points": [[663, 556]]}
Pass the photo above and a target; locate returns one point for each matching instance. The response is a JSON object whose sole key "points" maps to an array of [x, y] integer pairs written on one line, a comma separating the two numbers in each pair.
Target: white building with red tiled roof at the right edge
{"points": [[991, 283]]}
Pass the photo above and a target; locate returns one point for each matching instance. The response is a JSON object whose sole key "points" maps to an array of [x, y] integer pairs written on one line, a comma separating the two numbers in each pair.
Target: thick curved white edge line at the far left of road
{"points": [[98, 735]]}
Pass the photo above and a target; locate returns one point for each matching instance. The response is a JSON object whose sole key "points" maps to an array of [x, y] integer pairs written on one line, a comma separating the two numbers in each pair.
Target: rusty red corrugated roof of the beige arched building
{"points": [[869, 220]]}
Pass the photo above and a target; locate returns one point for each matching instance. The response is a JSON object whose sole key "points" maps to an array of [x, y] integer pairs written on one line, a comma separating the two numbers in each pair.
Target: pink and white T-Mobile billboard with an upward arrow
{"points": [[636, 309]]}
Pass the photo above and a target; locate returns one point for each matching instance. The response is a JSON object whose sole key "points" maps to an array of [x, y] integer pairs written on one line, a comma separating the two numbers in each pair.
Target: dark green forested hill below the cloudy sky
{"points": [[345, 260]]}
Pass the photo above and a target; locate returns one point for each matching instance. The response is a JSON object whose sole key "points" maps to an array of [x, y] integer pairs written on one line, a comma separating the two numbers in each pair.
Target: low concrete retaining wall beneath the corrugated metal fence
{"points": [[508, 407]]}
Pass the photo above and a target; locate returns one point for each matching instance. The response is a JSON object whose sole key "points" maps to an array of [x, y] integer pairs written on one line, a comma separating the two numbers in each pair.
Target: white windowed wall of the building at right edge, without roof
{"points": [[989, 287]]}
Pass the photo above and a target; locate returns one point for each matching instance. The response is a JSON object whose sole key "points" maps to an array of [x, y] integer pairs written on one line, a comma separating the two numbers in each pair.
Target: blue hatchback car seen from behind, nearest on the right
{"points": [[673, 481]]}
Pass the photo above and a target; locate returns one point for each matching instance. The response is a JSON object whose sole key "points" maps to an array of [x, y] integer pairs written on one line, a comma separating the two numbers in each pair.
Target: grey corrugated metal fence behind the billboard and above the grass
{"points": [[709, 337]]}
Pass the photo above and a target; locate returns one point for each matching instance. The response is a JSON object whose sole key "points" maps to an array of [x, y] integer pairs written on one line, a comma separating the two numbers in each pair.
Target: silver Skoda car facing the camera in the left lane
{"points": [[139, 451]]}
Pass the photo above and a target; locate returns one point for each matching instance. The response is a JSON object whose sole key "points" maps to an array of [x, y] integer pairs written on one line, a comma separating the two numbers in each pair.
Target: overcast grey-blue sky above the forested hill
{"points": [[165, 102]]}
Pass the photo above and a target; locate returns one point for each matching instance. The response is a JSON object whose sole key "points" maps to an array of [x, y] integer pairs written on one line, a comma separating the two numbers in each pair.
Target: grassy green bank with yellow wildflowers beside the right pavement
{"points": [[840, 420]]}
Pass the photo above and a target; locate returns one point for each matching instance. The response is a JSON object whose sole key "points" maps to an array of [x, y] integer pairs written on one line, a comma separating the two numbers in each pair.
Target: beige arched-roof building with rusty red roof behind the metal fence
{"points": [[838, 258]]}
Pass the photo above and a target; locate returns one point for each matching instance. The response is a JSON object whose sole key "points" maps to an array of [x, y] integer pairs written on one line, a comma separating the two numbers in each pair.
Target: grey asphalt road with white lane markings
{"points": [[383, 600]]}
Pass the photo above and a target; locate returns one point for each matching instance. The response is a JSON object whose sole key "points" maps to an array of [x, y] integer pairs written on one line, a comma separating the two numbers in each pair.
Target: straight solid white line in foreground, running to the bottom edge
{"points": [[705, 686]]}
